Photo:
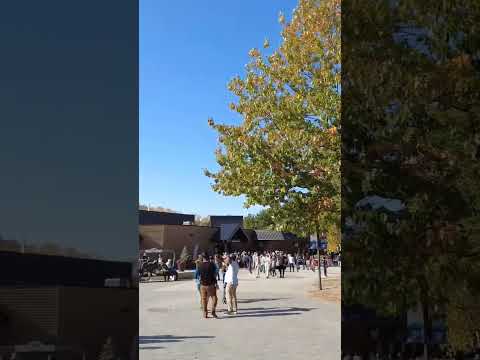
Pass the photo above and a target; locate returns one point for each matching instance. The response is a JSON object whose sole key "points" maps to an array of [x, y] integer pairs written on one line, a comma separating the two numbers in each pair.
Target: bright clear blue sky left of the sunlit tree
{"points": [[189, 50]]}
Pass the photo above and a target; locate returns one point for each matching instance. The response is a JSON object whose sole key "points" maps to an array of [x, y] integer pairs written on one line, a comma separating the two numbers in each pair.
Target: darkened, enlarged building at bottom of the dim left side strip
{"points": [[59, 300]]}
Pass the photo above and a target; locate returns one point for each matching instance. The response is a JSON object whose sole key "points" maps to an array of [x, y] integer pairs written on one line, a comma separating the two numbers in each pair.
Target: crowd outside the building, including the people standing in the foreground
{"points": [[224, 268]]}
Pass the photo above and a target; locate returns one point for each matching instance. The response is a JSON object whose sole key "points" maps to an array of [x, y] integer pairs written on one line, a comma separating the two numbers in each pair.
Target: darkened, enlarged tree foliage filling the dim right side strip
{"points": [[410, 132]]}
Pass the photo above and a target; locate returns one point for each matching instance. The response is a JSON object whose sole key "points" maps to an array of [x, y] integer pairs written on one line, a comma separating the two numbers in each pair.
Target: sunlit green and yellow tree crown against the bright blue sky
{"points": [[285, 154]]}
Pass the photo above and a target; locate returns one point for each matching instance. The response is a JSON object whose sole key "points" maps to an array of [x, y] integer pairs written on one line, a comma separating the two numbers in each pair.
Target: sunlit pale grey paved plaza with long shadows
{"points": [[276, 320]]}
